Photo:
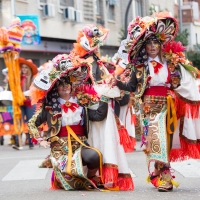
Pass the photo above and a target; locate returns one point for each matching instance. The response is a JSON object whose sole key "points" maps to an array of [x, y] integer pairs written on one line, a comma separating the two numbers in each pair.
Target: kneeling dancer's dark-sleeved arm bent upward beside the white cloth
{"points": [[101, 113]]}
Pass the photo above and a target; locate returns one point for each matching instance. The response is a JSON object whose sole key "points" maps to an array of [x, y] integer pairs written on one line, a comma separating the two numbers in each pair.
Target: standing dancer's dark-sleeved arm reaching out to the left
{"points": [[130, 85]]}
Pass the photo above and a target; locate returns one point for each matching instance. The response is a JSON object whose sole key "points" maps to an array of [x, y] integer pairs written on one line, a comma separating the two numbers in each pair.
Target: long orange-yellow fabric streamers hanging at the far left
{"points": [[11, 61]]}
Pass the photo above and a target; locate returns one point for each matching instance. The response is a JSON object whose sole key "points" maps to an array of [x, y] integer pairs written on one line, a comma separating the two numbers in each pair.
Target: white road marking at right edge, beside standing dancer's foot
{"points": [[188, 168]]}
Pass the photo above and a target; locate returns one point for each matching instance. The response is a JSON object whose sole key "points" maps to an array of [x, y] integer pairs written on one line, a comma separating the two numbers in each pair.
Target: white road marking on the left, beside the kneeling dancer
{"points": [[26, 170]]}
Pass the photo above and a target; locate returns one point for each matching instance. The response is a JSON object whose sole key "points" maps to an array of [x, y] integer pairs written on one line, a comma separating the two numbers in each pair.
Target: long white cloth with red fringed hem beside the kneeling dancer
{"points": [[108, 136]]}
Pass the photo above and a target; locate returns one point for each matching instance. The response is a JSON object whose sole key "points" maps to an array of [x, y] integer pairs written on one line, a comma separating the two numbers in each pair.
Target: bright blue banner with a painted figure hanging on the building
{"points": [[30, 23]]}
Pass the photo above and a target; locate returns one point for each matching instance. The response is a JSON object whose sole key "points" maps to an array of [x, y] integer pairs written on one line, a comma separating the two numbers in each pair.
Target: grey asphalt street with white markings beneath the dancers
{"points": [[20, 178]]}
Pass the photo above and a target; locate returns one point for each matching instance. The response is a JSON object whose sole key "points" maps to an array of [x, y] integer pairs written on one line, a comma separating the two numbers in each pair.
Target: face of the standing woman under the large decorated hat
{"points": [[152, 48]]}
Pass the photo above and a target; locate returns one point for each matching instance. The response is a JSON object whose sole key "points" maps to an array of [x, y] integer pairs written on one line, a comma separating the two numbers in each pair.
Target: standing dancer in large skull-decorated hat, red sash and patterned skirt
{"points": [[150, 80]]}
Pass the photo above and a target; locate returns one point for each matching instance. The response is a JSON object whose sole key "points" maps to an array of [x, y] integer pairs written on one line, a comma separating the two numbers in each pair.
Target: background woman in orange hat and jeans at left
{"points": [[28, 71]]}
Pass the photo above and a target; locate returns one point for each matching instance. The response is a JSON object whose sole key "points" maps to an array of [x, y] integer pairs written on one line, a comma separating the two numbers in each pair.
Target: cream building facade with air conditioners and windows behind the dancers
{"points": [[60, 20]]}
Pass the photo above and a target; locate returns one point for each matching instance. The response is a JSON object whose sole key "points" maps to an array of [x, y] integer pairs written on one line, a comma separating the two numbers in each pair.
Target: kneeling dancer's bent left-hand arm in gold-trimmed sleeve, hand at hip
{"points": [[37, 119]]}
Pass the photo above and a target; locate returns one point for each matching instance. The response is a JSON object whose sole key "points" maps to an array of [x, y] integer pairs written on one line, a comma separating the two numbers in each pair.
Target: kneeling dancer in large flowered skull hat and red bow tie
{"points": [[68, 123]]}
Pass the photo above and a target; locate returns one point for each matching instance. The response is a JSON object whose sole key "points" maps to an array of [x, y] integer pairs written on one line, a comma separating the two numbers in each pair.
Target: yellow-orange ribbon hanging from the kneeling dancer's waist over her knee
{"points": [[71, 133]]}
